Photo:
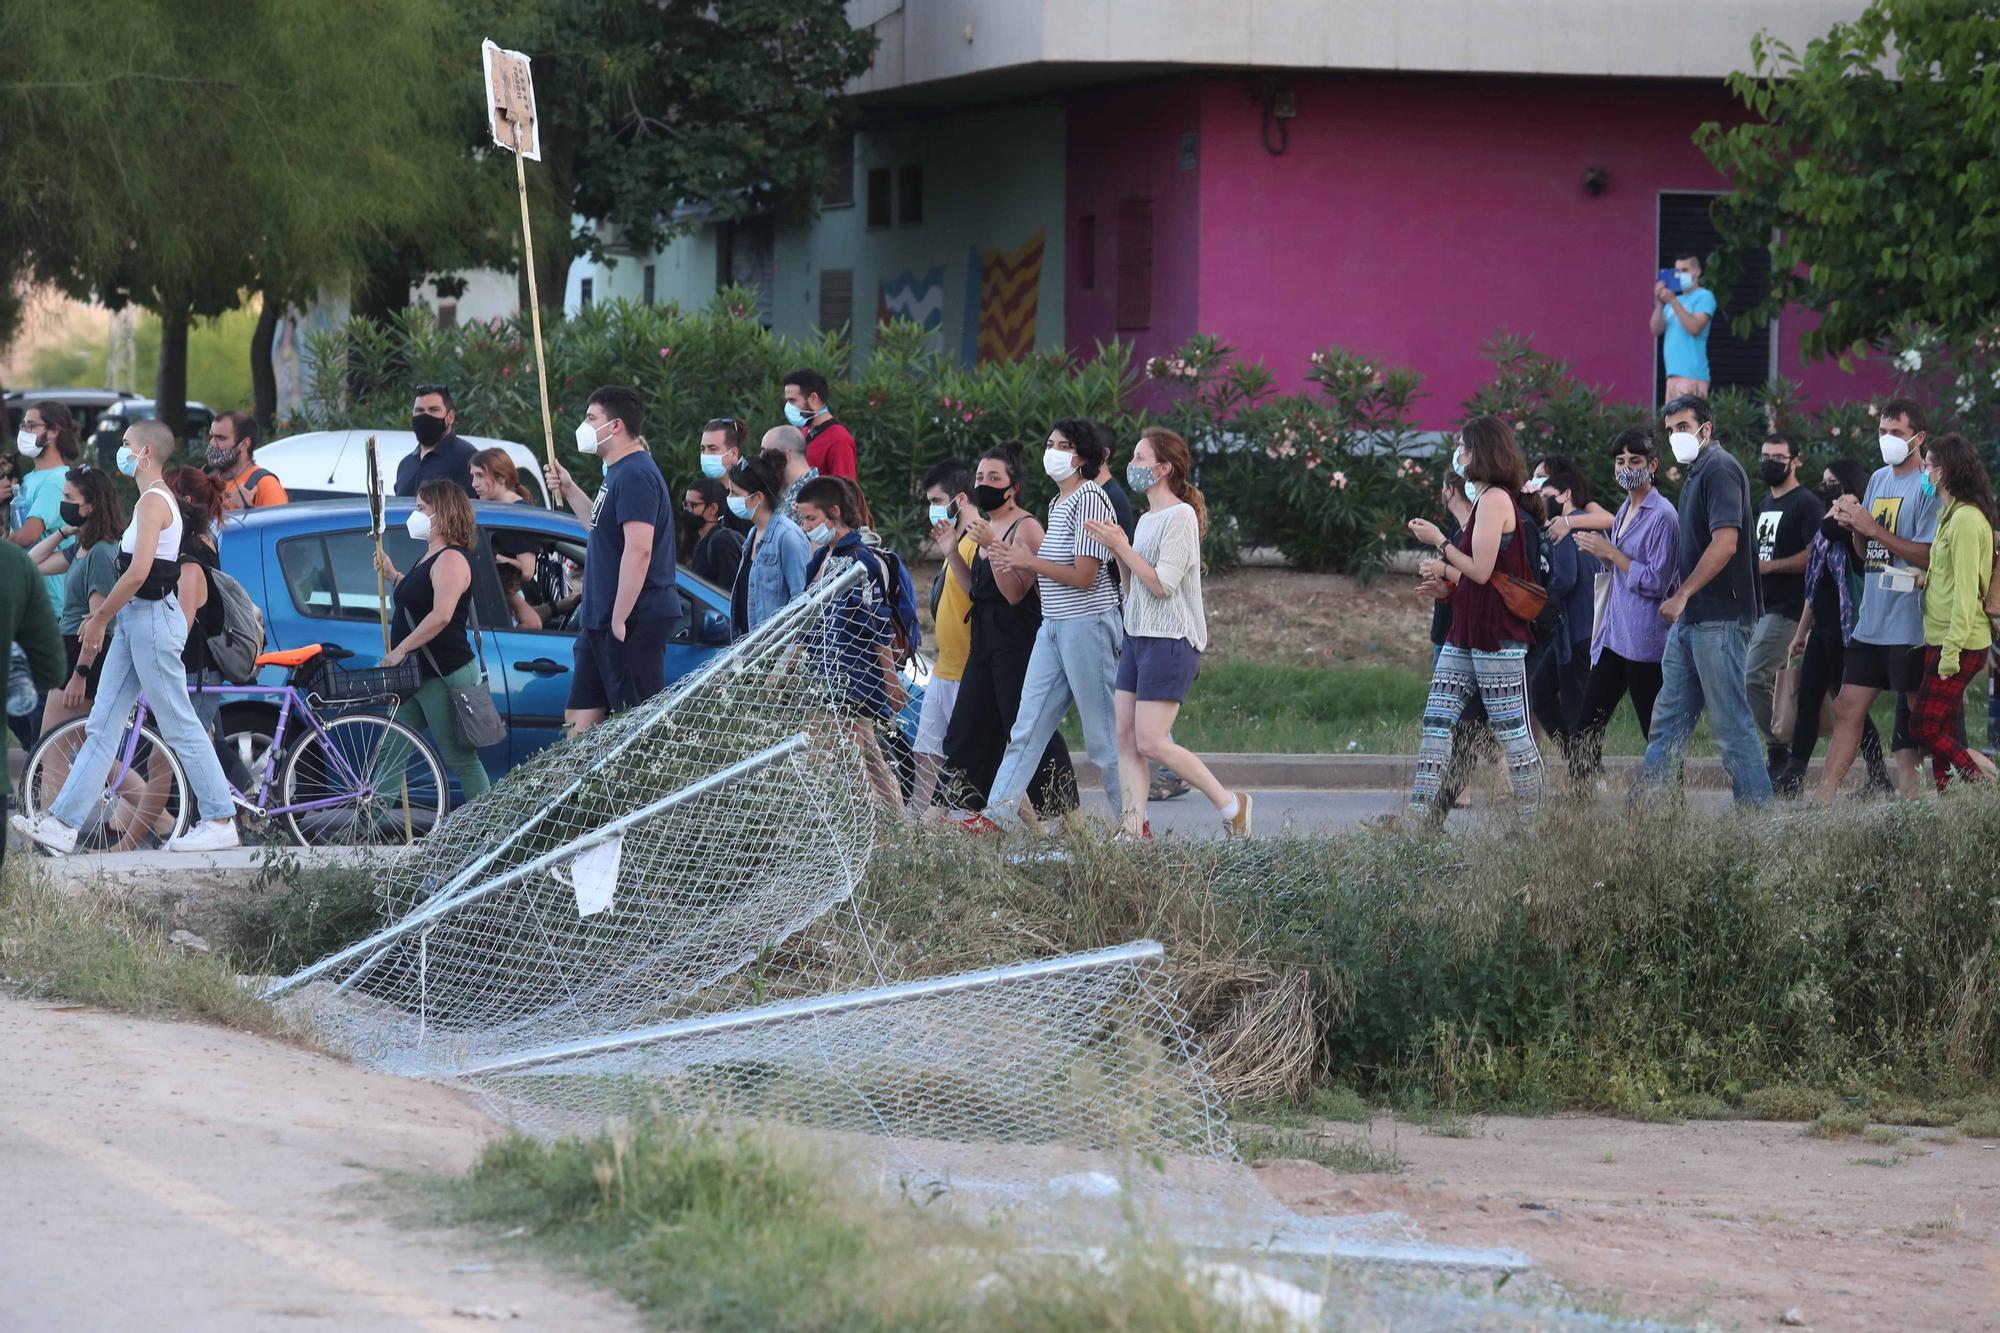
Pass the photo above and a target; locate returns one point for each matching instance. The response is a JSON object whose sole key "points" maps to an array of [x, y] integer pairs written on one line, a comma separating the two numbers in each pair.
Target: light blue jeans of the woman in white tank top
{"points": [[145, 655]]}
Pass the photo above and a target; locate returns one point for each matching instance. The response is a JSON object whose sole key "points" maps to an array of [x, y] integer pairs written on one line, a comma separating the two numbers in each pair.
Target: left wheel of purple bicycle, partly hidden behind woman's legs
{"points": [[145, 798]]}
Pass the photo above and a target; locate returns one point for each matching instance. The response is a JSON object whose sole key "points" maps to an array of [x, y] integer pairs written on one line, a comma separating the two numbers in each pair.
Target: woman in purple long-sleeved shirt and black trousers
{"points": [[1643, 555]]}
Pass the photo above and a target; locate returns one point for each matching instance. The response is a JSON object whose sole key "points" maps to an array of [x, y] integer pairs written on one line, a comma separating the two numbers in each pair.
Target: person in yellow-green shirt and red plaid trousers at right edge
{"points": [[1957, 633]]}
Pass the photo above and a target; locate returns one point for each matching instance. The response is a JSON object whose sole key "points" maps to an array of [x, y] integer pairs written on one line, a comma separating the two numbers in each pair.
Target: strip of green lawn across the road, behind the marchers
{"points": [[1253, 708]]}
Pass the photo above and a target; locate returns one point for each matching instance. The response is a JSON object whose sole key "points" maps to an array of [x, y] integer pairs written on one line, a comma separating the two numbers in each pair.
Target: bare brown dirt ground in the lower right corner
{"points": [[1735, 1224]]}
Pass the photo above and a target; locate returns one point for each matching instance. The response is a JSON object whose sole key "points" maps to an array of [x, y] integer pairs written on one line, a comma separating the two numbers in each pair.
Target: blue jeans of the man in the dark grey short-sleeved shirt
{"points": [[1703, 670]]}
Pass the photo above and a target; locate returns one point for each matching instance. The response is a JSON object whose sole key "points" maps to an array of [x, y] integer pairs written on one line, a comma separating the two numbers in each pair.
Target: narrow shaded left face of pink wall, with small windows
{"points": [[1125, 143]]}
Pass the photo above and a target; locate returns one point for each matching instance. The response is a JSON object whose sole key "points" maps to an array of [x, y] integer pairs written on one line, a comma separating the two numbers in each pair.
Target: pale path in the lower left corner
{"points": [[165, 1176]]}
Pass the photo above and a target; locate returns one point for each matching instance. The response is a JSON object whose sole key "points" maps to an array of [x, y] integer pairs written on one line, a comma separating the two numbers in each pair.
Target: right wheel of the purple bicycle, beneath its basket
{"points": [[355, 794]]}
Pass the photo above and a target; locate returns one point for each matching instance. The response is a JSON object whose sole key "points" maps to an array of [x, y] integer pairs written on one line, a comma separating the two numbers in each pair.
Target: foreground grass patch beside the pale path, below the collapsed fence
{"points": [[727, 1232]]}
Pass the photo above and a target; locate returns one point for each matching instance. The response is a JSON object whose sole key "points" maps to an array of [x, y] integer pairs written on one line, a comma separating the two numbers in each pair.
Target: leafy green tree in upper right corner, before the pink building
{"points": [[1883, 189]]}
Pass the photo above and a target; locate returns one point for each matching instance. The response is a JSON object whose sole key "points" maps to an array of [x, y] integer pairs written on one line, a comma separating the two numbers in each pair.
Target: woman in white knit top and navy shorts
{"points": [[1165, 629]]}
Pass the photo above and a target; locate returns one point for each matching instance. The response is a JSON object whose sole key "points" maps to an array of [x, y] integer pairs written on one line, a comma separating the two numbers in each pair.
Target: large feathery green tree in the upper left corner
{"points": [[183, 153]]}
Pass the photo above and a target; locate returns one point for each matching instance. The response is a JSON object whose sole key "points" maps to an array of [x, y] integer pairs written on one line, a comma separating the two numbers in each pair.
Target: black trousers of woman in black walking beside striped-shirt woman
{"points": [[983, 720]]}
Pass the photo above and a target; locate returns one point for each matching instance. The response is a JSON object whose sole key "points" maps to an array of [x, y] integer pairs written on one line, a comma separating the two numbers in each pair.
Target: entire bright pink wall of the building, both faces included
{"points": [[1409, 219]]}
